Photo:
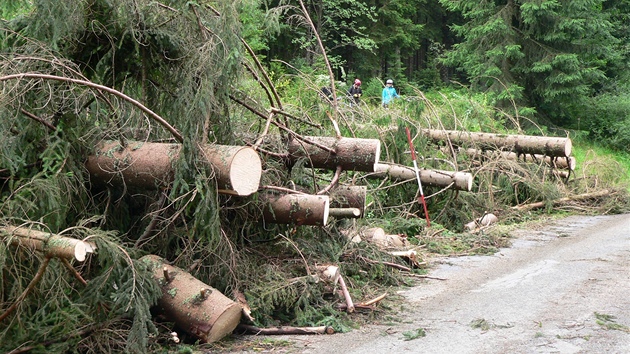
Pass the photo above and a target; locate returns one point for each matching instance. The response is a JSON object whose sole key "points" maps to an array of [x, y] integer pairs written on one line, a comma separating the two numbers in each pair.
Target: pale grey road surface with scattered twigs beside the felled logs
{"points": [[561, 288]]}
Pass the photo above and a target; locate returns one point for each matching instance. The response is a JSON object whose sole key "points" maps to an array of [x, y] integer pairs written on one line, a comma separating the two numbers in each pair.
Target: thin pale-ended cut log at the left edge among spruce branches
{"points": [[50, 244]]}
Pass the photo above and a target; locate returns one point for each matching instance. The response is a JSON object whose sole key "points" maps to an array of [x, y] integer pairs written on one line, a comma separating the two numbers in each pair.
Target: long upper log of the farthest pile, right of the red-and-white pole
{"points": [[521, 144]]}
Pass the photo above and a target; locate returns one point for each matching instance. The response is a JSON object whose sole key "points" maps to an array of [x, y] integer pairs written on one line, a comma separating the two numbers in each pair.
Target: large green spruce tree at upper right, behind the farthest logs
{"points": [[548, 55]]}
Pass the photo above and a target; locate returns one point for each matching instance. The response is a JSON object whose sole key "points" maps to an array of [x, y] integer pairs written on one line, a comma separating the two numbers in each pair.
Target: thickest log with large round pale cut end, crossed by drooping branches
{"points": [[237, 169]]}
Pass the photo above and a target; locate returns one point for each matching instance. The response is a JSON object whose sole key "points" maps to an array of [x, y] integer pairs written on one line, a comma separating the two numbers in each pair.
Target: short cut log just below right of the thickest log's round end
{"points": [[300, 209]]}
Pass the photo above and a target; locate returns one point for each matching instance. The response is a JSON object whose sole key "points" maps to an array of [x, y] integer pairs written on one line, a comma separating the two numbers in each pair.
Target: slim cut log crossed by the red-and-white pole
{"points": [[457, 180]]}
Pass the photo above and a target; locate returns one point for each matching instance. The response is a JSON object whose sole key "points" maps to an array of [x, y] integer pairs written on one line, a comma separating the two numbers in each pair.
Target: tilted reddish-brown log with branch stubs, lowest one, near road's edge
{"points": [[197, 308]]}
